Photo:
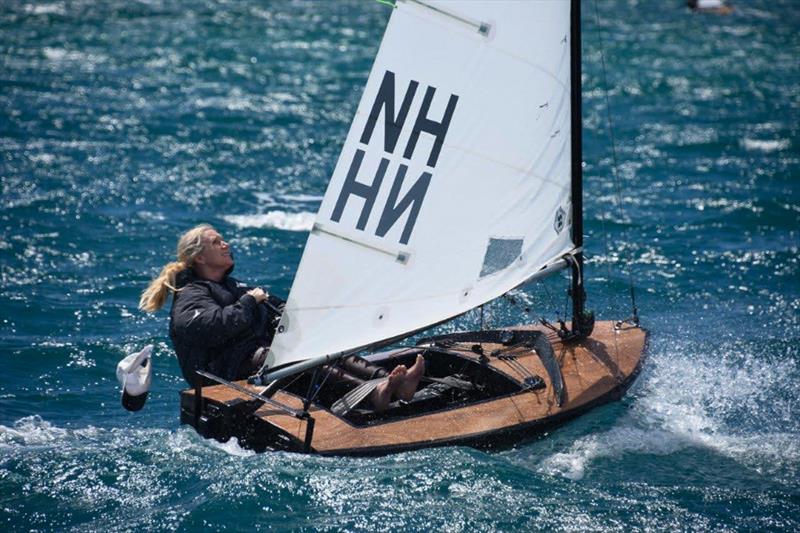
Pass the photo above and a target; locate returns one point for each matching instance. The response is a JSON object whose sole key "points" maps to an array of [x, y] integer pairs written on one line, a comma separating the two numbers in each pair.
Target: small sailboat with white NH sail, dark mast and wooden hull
{"points": [[459, 180]]}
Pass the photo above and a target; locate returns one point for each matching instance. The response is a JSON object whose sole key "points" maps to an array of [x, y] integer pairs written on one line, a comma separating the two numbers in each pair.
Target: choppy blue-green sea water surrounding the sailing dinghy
{"points": [[124, 123]]}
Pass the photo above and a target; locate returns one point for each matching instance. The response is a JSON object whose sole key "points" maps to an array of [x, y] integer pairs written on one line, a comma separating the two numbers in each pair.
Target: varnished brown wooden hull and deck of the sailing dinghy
{"points": [[513, 396]]}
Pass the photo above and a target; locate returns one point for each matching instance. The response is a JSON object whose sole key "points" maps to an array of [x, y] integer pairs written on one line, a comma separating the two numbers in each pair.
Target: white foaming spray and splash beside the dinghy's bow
{"points": [[734, 405]]}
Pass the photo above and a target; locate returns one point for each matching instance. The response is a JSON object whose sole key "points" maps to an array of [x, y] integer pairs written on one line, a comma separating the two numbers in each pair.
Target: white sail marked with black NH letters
{"points": [[453, 185]]}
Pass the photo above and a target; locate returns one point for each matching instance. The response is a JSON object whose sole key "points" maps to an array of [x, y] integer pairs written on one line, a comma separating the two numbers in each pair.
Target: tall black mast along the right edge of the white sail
{"points": [[577, 291]]}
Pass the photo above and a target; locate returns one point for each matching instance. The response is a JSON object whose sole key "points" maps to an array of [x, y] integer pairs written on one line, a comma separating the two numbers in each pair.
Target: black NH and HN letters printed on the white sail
{"points": [[393, 126]]}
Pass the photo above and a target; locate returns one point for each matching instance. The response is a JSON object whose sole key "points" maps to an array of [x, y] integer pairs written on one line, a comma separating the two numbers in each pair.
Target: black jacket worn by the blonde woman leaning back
{"points": [[217, 326]]}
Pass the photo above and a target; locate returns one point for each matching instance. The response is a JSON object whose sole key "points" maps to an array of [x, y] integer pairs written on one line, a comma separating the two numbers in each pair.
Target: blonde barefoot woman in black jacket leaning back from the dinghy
{"points": [[223, 326]]}
